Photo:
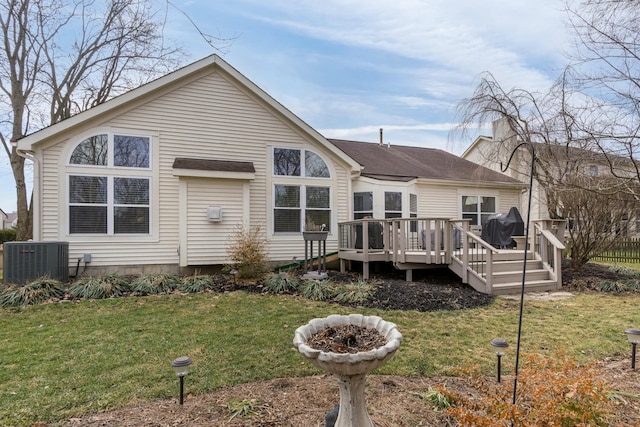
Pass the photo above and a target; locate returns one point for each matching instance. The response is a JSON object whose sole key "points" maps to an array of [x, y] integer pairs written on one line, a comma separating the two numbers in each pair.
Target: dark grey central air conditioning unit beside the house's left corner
{"points": [[25, 261]]}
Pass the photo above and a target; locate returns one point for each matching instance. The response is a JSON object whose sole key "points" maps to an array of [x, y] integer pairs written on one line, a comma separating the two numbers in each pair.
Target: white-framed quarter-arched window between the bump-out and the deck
{"points": [[303, 203]]}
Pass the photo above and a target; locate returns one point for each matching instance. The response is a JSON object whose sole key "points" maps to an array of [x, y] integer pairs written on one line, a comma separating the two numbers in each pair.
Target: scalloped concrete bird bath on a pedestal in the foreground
{"points": [[351, 369]]}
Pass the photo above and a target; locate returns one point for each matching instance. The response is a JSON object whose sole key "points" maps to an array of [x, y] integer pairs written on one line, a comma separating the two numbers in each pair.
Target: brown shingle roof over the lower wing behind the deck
{"points": [[405, 163]]}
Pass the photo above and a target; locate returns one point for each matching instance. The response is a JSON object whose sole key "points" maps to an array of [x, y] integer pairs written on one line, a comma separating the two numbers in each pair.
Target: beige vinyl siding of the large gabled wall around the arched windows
{"points": [[212, 118]]}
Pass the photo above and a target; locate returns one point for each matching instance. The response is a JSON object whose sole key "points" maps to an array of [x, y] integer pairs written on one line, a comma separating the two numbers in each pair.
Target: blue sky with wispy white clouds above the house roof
{"points": [[351, 67]]}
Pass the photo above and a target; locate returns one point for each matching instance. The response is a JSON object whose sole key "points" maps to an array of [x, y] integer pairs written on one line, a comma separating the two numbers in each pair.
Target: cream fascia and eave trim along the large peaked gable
{"points": [[164, 84]]}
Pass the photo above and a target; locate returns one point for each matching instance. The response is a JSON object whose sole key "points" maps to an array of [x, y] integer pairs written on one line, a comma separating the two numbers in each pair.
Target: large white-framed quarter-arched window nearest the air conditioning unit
{"points": [[109, 185]]}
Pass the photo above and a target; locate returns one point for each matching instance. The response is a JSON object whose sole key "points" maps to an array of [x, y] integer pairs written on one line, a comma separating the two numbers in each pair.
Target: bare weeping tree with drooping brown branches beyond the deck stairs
{"points": [[565, 154]]}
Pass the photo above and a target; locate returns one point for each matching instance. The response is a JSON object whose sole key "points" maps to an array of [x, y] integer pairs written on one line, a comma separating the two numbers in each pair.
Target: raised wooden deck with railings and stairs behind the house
{"points": [[420, 243]]}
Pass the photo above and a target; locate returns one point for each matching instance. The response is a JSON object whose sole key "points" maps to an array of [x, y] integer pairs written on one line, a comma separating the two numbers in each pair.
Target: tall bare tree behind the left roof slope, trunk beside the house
{"points": [[61, 57]]}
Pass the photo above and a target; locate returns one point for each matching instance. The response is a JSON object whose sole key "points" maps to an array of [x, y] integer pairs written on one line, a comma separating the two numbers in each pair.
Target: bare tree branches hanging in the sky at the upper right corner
{"points": [[606, 66]]}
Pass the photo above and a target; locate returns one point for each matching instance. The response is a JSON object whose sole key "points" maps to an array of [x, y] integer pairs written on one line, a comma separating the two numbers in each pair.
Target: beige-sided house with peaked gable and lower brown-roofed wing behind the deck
{"points": [[159, 178]]}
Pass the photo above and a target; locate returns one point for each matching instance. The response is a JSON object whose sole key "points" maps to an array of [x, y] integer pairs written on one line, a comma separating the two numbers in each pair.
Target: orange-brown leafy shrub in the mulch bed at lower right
{"points": [[552, 391]]}
